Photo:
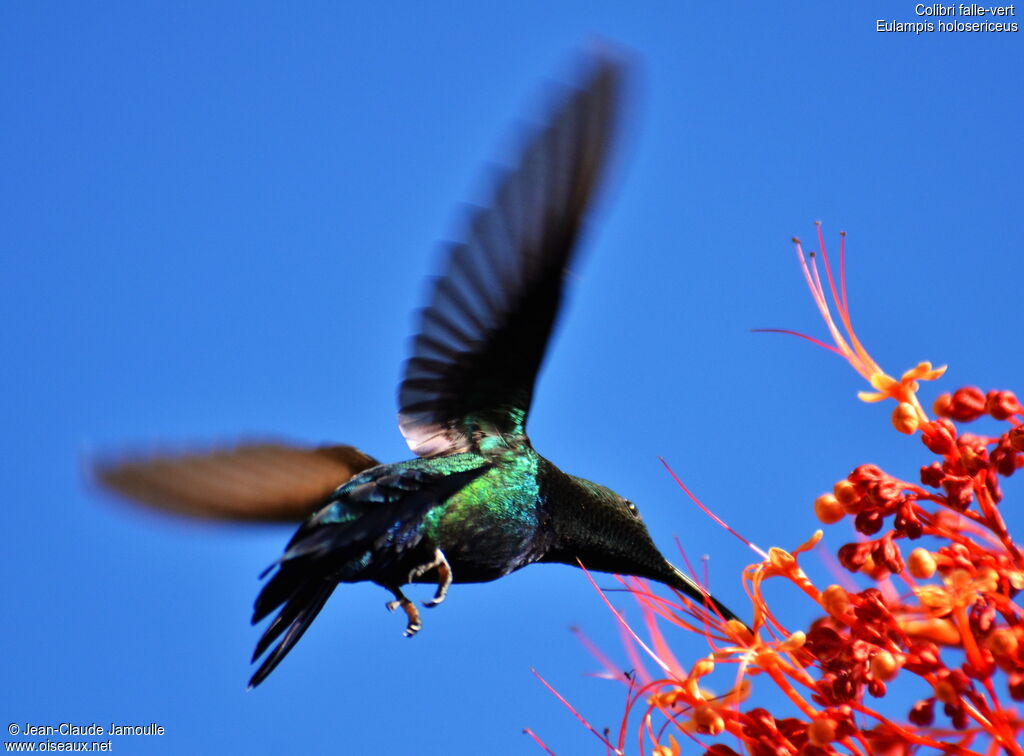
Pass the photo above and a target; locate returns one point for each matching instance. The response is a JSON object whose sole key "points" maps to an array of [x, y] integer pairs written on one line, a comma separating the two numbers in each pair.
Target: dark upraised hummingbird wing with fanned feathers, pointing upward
{"points": [[484, 335]]}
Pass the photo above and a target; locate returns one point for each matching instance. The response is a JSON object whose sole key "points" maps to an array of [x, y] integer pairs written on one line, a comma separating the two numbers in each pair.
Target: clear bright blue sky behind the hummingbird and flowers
{"points": [[218, 220]]}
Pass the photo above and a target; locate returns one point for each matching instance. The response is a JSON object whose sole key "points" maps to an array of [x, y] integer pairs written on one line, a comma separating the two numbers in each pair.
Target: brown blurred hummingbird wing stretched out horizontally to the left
{"points": [[268, 483]]}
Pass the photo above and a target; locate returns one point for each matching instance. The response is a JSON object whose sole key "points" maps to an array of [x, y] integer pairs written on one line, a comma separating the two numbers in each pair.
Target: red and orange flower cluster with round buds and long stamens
{"points": [[938, 617]]}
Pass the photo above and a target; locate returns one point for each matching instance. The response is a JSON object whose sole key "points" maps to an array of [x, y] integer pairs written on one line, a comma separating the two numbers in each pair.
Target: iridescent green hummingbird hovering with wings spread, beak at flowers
{"points": [[478, 502]]}
